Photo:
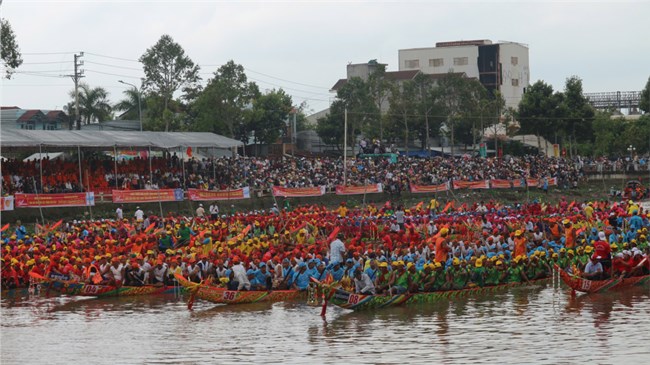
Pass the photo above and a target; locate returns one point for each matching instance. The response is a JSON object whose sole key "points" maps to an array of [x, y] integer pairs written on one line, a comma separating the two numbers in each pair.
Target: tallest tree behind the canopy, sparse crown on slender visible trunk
{"points": [[167, 69]]}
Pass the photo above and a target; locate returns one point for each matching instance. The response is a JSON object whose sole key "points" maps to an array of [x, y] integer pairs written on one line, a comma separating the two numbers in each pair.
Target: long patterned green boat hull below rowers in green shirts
{"points": [[348, 300]]}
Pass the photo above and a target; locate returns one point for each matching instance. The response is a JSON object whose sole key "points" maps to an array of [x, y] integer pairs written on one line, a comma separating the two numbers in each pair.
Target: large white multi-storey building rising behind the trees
{"points": [[501, 66]]}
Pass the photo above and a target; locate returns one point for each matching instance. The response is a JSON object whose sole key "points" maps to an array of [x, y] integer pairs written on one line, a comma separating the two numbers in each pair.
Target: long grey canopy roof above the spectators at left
{"points": [[94, 139]]}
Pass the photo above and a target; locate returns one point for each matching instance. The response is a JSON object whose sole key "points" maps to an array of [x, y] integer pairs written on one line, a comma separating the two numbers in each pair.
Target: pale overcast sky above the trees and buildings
{"points": [[304, 46]]}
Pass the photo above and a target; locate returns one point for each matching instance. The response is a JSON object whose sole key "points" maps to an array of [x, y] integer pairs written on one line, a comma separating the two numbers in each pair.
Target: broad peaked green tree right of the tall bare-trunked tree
{"points": [[224, 106]]}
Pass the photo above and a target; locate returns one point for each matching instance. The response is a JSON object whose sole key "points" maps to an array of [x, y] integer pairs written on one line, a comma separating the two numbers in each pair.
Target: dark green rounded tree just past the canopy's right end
{"points": [[270, 114]]}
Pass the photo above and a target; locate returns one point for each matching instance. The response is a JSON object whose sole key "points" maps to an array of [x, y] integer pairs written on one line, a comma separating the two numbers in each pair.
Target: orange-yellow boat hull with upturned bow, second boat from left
{"points": [[219, 295]]}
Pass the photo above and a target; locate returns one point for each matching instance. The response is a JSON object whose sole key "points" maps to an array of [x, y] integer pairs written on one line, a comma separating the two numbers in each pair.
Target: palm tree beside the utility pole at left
{"points": [[93, 104]]}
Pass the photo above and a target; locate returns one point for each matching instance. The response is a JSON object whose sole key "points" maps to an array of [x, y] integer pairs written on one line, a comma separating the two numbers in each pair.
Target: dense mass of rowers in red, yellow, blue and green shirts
{"points": [[482, 244]]}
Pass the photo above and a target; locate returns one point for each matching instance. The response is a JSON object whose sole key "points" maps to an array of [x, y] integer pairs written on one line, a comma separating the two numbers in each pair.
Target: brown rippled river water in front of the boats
{"points": [[538, 325]]}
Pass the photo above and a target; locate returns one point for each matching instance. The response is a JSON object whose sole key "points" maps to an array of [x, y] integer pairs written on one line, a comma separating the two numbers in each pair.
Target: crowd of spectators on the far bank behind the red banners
{"points": [[99, 173]]}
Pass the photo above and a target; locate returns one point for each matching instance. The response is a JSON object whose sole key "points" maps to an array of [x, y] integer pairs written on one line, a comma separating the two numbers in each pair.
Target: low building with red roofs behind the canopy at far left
{"points": [[13, 117]]}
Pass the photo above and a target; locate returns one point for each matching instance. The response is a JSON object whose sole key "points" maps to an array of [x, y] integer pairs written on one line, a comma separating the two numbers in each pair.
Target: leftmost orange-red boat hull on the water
{"points": [[95, 290]]}
